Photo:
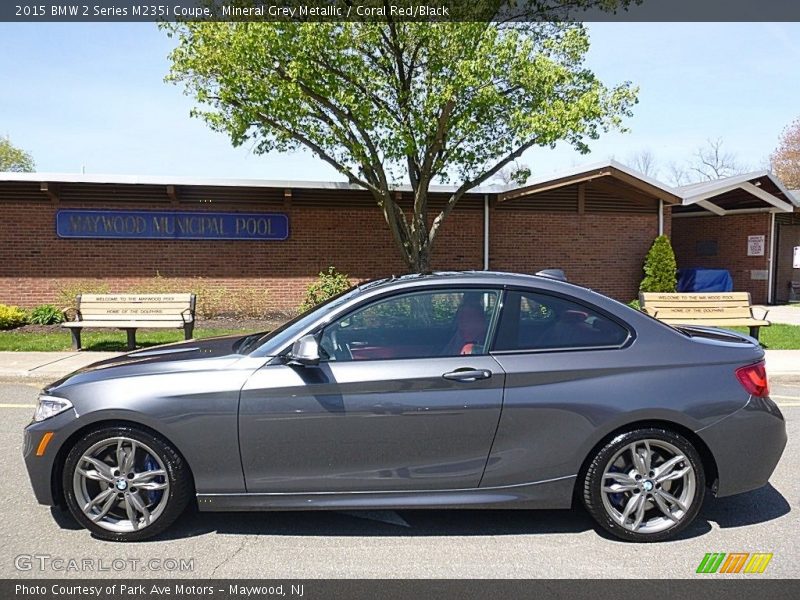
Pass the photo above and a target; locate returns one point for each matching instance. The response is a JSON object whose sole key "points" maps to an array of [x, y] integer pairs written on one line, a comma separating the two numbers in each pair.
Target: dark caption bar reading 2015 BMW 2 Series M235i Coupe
{"points": [[398, 10]]}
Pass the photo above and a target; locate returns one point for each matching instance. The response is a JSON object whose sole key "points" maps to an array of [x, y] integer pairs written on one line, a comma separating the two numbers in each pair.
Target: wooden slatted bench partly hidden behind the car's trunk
{"points": [[715, 309]]}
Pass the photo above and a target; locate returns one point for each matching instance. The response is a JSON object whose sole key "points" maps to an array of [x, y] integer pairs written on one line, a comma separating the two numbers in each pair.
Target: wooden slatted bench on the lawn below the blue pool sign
{"points": [[131, 312]]}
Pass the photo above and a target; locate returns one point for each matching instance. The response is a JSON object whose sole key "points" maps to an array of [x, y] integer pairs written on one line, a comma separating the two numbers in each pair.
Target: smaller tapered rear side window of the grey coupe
{"points": [[531, 321]]}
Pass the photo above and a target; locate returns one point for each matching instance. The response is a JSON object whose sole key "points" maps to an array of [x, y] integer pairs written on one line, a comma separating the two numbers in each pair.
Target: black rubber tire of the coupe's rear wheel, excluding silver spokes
{"points": [[593, 494]]}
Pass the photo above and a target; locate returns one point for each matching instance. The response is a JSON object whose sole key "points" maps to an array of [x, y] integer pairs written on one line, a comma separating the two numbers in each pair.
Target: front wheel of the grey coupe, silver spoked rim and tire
{"points": [[124, 484]]}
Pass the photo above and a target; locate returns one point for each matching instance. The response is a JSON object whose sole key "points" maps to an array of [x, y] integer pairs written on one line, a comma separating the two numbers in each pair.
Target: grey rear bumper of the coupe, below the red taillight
{"points": [[746, 446]]}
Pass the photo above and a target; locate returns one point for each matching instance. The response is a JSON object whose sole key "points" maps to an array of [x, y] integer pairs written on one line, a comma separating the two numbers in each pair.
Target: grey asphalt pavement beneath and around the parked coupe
{"points": [[429, 544]]}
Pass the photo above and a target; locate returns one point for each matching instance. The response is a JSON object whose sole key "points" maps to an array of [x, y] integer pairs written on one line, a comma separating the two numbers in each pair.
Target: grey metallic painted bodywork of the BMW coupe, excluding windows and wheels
{"points": [[258, 433]]}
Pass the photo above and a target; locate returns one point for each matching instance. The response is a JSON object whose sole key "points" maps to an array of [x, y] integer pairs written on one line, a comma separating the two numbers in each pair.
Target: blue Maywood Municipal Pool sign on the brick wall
{"points": [[171, 225]]}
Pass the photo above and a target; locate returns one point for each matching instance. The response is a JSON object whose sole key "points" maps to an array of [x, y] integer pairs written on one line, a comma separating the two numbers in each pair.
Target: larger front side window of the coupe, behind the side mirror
{"points": [[426, 324]]}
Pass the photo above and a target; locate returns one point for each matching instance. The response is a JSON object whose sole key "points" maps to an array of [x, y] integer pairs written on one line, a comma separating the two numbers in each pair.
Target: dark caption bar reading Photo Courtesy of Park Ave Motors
{"points": [[713, 587]]}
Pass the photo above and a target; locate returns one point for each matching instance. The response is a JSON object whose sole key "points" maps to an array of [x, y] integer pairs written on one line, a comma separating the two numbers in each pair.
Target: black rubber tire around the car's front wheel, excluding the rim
{"points": [[178, 476]]}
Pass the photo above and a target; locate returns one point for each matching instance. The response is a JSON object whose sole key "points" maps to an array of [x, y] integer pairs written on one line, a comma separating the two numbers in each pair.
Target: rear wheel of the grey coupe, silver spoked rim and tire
{"points": [[645, 485]]}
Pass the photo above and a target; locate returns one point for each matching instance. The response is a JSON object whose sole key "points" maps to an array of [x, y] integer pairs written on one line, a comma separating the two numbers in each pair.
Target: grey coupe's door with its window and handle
{"points": [[390, 407]]}
